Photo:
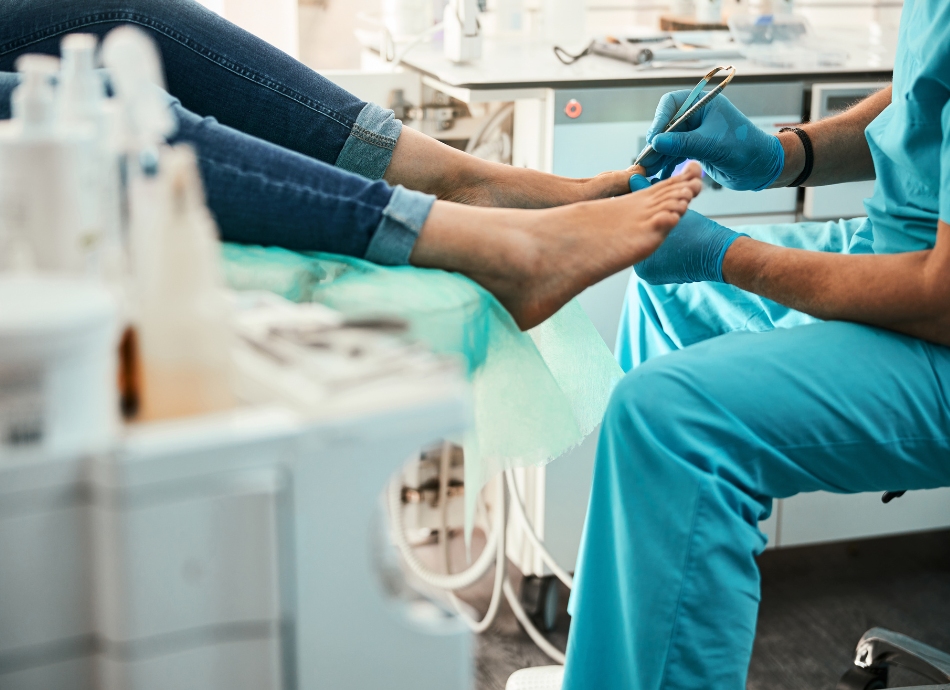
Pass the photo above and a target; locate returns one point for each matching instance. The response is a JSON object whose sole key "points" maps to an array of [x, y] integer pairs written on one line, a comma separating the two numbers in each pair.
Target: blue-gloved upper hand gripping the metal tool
{"points": [[733, 151]]}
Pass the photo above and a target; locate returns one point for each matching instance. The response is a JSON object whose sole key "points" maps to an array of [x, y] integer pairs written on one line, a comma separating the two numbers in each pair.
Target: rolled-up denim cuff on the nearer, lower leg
{"points": [[399, 229]]}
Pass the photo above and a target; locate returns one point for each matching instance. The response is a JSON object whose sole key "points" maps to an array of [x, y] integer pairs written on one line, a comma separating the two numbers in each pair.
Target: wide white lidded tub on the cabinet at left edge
{"points": [[57, 365]]}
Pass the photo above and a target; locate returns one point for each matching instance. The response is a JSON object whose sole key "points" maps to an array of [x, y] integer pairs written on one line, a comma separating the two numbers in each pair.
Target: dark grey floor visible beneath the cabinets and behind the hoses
{"points": [[816, 603]]}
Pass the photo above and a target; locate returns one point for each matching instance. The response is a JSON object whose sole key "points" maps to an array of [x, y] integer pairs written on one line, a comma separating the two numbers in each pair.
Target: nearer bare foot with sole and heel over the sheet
{"points": [[534, 262]]}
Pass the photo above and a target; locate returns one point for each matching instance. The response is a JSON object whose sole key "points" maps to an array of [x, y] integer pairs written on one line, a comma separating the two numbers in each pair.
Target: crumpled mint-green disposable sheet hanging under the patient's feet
{"points": [[536, 394]]}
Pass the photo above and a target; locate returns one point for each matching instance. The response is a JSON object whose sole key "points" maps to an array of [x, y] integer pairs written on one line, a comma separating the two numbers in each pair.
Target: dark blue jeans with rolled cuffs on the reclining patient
{"points": [[287, 157]]}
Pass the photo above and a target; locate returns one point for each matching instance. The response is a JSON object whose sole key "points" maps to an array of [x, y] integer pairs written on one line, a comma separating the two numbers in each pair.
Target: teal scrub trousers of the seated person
{"points": [[732, 401]]}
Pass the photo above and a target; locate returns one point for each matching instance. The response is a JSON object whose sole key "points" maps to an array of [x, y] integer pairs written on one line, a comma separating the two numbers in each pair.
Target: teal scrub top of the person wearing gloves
{"points": [[910, 139]]}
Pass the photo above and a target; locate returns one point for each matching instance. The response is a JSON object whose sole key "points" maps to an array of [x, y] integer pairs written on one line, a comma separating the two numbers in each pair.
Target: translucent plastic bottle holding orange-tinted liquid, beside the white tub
{"points": [[184, 320]]}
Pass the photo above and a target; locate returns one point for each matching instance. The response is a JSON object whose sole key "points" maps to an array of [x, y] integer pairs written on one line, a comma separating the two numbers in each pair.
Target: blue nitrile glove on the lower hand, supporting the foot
{"points": [[692, 252]]}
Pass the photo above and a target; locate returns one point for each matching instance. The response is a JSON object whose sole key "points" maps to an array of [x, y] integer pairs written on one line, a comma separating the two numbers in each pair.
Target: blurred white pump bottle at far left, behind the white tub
{"points": [[40, 194]]}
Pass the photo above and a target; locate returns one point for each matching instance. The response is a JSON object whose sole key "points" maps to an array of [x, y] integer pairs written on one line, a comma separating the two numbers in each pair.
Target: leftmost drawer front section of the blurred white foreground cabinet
{"points": [[46, 615]]}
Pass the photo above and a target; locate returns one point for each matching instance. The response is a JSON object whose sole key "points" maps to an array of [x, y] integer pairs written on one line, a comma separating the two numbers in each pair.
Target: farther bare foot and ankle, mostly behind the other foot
{"points": [[427, 165]]}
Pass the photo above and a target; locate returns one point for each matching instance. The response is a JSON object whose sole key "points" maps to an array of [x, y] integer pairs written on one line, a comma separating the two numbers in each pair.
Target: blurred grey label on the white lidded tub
{"points": [[22, 408]]}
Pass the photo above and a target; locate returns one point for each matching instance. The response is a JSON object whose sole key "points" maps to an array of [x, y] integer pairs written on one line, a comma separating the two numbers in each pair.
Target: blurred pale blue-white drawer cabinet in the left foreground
{"points": [[237, 551]]}
